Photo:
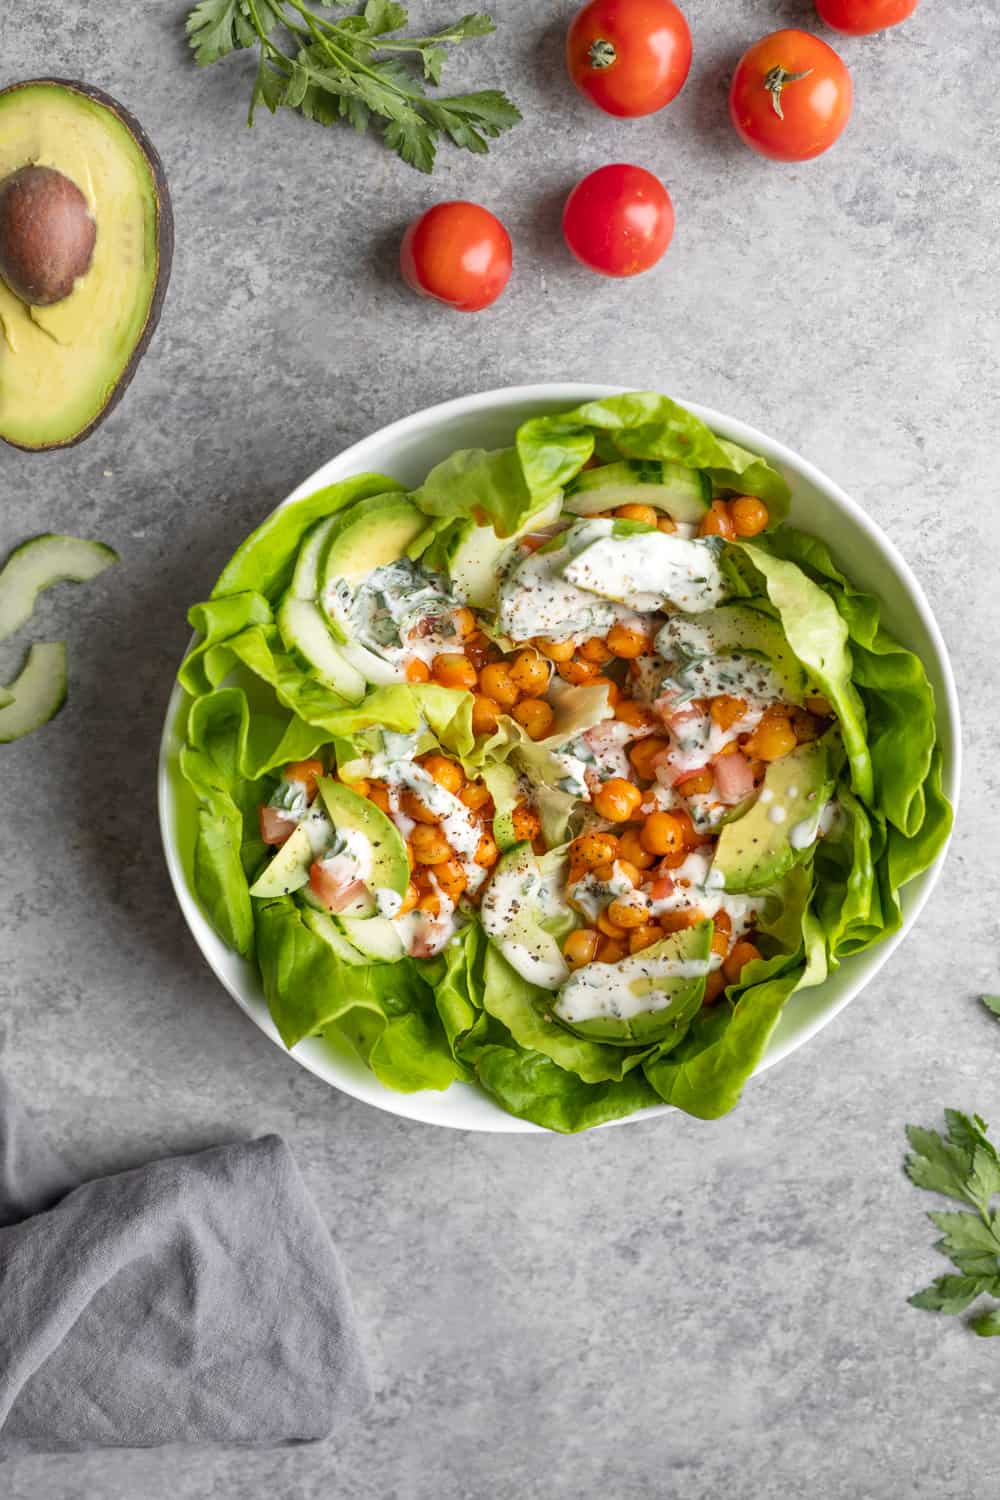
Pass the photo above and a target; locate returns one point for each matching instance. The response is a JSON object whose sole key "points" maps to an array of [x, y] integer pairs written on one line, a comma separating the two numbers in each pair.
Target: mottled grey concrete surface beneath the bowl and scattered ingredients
{"points": [[665, 1310]]}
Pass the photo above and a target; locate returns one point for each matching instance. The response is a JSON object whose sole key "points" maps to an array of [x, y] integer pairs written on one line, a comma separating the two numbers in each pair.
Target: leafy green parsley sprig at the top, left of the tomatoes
{"points": [[355, 71]]}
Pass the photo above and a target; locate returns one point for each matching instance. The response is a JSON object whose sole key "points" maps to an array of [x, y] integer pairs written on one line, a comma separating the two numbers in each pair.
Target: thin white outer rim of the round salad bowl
{"points": [[555, 394]]}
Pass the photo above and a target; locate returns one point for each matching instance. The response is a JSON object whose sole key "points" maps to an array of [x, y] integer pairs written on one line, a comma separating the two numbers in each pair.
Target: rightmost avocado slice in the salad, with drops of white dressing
{"points": [[780, 827]]}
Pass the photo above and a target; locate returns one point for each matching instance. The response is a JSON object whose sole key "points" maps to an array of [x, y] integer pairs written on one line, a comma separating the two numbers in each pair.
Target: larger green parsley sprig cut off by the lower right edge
{"points": [[962, 1166]]}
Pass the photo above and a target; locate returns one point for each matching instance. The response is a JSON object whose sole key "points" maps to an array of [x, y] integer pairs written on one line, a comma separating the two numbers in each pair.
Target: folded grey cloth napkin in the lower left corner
{"points": [[196, 1300]]}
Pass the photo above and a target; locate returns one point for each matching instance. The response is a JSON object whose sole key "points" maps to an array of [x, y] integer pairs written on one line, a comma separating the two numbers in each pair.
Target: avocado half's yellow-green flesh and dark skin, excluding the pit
{"points": [[65, 365]]}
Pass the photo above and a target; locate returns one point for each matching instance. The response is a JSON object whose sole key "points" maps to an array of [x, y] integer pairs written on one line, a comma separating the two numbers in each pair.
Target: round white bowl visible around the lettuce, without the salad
{"points": [[407, 451]]}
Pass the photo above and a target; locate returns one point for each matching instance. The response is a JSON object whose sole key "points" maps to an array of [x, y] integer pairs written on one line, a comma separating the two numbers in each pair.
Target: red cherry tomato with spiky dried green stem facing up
{"points": [[791, 97]]}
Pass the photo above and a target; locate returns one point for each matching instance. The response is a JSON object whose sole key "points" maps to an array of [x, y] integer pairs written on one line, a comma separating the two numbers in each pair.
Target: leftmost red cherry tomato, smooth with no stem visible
{"points": [[460, 254]]}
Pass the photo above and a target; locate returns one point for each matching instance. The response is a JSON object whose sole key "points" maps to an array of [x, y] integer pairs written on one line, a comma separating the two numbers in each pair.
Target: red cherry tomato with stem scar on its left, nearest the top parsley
{"points": [[629, 56]]}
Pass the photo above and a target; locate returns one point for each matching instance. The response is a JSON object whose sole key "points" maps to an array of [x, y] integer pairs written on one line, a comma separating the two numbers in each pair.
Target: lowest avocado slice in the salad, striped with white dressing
{"points": [[648, 998]]}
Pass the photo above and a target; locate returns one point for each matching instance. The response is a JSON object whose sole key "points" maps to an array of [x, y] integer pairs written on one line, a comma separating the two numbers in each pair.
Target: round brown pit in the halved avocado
{"points": [[47, 235]]}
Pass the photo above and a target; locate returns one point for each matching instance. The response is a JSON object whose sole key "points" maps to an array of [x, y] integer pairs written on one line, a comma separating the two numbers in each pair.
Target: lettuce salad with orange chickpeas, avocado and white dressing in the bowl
{"points": [[560, 773]]}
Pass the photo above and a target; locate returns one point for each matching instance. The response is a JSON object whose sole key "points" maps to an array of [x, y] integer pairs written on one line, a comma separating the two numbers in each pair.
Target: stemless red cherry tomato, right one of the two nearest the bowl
{"points": [[618, 221]]}
